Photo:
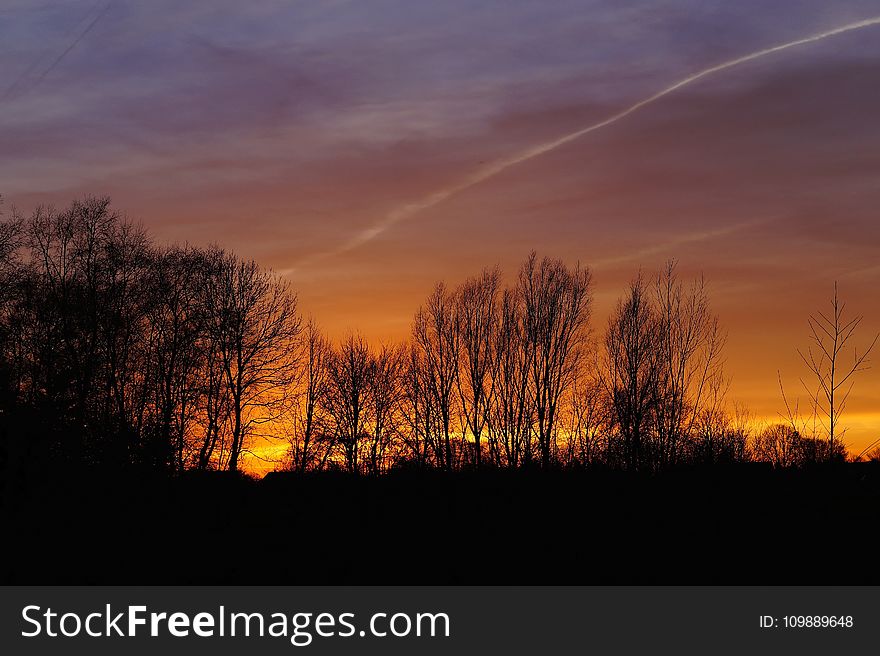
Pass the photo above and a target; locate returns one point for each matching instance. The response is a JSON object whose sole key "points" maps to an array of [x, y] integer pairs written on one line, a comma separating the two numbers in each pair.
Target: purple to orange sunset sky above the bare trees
{"points": [[366, 149]]}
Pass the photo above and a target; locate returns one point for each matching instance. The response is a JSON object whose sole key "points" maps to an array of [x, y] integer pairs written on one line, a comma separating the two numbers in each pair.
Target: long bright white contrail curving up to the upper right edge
{"points": [[406, 211]]}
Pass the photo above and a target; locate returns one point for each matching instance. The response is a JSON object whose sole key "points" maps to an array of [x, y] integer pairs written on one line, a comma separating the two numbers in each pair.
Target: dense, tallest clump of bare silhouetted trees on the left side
{"points": [[118, 351]]}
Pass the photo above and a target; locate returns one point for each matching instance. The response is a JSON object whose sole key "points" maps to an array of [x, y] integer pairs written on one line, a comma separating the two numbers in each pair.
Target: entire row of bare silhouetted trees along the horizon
{"points": [[118, 351]]}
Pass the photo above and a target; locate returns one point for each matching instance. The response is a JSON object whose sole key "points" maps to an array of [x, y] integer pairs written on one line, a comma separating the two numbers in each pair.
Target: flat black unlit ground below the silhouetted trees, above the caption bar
{"points": [[740, 525]]}
